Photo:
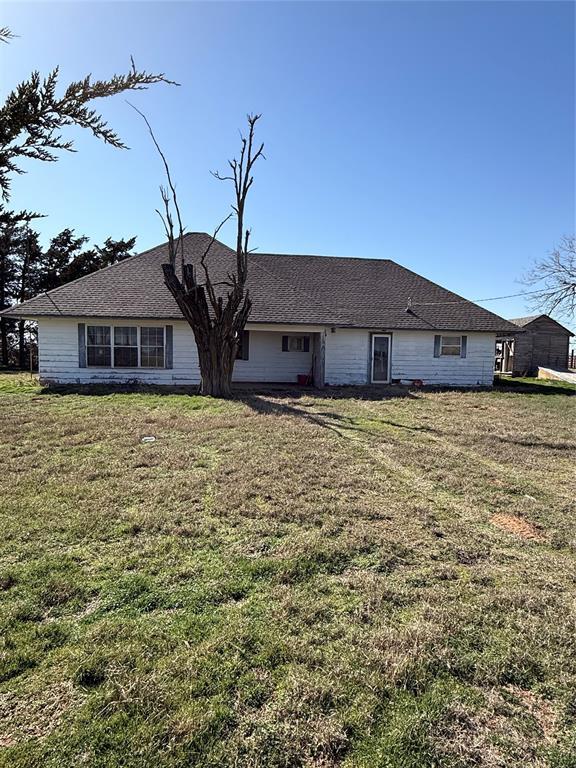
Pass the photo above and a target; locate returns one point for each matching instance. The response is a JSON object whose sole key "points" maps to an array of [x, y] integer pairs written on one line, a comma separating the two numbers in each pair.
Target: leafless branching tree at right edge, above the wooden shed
{"points": [[554, 280]]}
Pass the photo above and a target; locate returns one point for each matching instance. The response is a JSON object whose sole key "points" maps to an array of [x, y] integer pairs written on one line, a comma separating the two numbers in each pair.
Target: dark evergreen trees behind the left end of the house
{"points": [[27, 269]]}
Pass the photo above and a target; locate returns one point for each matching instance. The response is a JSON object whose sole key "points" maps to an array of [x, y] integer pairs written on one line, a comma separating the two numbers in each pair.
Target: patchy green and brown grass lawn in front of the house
{"points": [[287, 581]]}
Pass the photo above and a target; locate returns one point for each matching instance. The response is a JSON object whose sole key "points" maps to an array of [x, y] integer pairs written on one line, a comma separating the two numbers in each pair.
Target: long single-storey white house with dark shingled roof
{"points": [[345, 321]]}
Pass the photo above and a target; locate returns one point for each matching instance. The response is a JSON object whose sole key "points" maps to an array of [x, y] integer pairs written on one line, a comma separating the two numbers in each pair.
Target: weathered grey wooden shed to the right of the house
{"points": [[543, 343]]}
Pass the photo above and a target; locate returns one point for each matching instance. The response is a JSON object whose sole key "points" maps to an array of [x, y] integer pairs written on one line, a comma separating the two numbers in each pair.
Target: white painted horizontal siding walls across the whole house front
{"points": [[346, 362]]}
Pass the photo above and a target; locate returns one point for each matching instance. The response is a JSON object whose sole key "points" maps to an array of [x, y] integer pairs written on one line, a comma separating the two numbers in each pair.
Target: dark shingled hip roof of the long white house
{"points": [[315, 290]]}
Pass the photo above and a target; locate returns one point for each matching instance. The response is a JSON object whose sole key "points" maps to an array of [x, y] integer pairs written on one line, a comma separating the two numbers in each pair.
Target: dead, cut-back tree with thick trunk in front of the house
{"points": [[216, 311]]}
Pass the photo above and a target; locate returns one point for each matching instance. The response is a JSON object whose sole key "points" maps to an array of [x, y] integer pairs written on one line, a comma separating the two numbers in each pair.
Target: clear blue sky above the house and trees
{"points": [[437, 134]]}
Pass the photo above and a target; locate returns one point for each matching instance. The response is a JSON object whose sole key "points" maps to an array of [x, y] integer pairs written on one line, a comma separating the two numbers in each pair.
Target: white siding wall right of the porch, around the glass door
{"points": [[412, 357]]}
